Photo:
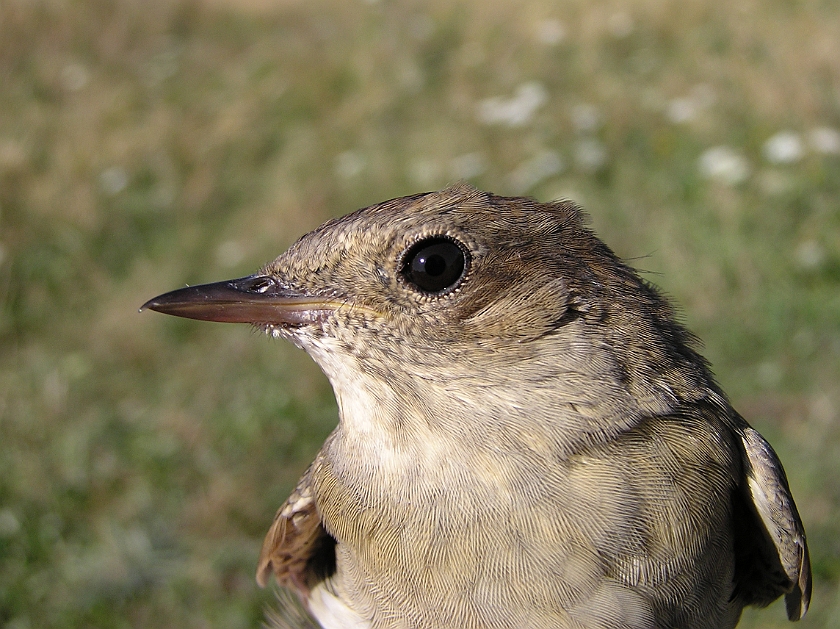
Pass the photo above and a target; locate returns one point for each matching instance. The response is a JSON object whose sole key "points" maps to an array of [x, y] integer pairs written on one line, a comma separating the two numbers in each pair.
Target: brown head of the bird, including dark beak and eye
{"points": [[469, 295]]}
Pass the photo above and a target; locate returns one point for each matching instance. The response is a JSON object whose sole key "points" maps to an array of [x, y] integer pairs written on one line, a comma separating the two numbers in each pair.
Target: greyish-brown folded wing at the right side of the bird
{"points": [[783, 551]]}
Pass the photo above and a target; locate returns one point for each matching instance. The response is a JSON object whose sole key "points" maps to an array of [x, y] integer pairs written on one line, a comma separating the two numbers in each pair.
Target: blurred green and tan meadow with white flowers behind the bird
{"points": [[147, 144]]}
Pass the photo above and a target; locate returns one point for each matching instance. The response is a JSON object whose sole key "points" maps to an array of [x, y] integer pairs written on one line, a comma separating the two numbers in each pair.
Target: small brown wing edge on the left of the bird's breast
{"points": [[297, 549]]}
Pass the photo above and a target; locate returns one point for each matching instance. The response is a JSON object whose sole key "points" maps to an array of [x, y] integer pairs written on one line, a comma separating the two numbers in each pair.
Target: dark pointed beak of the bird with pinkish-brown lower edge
{"points": [[256, 299]]}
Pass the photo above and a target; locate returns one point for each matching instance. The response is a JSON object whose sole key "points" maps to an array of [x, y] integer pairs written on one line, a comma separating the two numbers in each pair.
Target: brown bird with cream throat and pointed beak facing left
{"points": [[528, 437]]}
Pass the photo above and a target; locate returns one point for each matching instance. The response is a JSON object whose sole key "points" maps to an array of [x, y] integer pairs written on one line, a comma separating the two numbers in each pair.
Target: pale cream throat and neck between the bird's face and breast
{"points": [[443, 416]]}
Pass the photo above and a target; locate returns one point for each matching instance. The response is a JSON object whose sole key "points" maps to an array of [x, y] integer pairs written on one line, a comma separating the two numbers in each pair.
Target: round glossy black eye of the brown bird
{"points": [[435, 265]]}
